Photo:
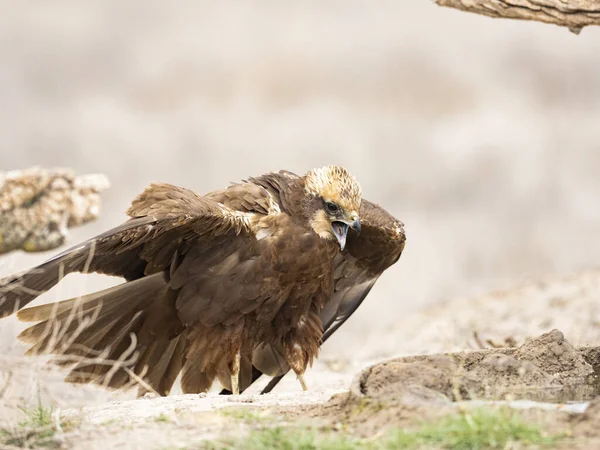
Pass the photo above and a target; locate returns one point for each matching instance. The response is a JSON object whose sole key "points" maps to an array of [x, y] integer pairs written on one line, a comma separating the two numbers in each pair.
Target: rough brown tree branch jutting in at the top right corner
{"points": [[573, 14]]}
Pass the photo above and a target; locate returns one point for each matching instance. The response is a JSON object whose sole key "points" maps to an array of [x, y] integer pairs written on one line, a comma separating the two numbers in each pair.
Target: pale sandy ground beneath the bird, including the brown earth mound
{"points": [[547, 369]]}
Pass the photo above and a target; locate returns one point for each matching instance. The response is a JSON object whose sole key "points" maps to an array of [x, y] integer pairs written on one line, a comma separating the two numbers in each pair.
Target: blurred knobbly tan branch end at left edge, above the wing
{"points": [[38, 205]]}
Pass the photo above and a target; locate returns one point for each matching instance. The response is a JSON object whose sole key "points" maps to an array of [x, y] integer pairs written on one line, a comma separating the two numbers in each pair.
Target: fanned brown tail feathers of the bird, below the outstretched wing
{"points": [[93, 334]]}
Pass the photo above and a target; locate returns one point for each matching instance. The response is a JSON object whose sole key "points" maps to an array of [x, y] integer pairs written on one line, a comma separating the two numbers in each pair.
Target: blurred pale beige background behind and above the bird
{"points": [[482, 135]]}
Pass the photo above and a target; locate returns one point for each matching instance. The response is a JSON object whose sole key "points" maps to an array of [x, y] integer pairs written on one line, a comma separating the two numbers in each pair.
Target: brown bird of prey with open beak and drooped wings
{"points": [[246, 280]]}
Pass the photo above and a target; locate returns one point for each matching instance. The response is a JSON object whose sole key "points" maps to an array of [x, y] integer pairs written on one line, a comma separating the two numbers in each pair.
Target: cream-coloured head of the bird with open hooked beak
{"points": [[333, 201]]}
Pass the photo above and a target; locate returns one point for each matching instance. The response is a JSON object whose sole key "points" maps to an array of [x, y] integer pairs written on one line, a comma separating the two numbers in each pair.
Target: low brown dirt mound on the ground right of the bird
{"points": [[541, 369]]}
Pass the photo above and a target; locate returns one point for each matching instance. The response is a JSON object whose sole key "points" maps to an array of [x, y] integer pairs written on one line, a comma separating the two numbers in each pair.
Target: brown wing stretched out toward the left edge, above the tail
{"points": [[165, 221]]}
